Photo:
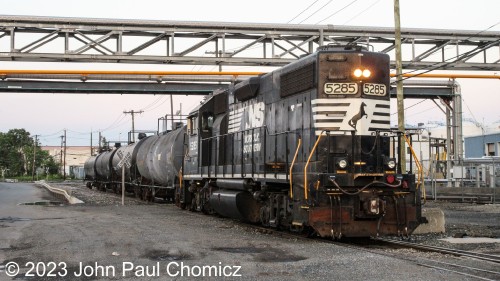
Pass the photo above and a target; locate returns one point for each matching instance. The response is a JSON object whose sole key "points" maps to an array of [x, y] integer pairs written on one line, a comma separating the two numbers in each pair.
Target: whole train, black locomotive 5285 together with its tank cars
{"points": [[307, 147]]}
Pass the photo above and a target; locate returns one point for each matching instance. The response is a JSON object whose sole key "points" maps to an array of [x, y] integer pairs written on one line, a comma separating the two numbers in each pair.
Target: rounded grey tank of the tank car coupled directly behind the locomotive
{"points": [[160, 159]]}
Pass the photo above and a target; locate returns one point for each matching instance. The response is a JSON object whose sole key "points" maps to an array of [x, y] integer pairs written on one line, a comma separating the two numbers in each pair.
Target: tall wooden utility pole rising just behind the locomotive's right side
{"points": [[399, 86]]}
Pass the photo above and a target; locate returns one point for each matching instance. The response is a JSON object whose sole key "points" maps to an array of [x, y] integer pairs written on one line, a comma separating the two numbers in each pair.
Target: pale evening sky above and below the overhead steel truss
{"points": [[48, 115]]}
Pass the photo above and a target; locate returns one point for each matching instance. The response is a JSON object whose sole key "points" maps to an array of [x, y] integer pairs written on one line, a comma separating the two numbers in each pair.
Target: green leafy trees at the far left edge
{"points": [[16, 154]]}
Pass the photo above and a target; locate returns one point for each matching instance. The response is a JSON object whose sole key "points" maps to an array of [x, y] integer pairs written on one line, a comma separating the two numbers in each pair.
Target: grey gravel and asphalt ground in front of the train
{"points": [[101, 232]]}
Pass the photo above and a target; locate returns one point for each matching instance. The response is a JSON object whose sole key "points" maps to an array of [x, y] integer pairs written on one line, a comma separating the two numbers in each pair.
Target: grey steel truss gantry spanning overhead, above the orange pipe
{"points": [[29, 38]]}
